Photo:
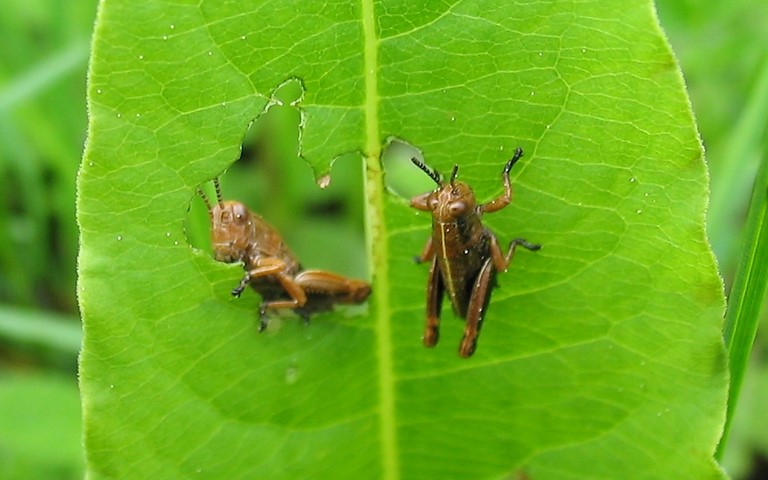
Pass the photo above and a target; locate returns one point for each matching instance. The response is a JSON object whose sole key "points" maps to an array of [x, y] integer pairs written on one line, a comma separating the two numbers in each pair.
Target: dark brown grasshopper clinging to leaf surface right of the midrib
{"points": [[465, 255]]}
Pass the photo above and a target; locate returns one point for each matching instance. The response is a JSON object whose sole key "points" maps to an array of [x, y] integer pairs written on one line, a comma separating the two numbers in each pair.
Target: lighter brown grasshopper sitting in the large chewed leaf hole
{"points": [[239, 235]]}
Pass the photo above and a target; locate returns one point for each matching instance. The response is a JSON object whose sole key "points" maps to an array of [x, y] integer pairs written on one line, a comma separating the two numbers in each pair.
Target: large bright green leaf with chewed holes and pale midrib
{"points": [[601, 354]]}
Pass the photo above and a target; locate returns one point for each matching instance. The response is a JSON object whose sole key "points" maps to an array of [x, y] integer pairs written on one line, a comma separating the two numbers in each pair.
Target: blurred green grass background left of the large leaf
{"points": [[42, 128]]}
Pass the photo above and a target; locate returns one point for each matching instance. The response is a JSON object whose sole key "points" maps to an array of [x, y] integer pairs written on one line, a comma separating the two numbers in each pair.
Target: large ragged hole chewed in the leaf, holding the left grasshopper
{"points": [[274, 184]]}
